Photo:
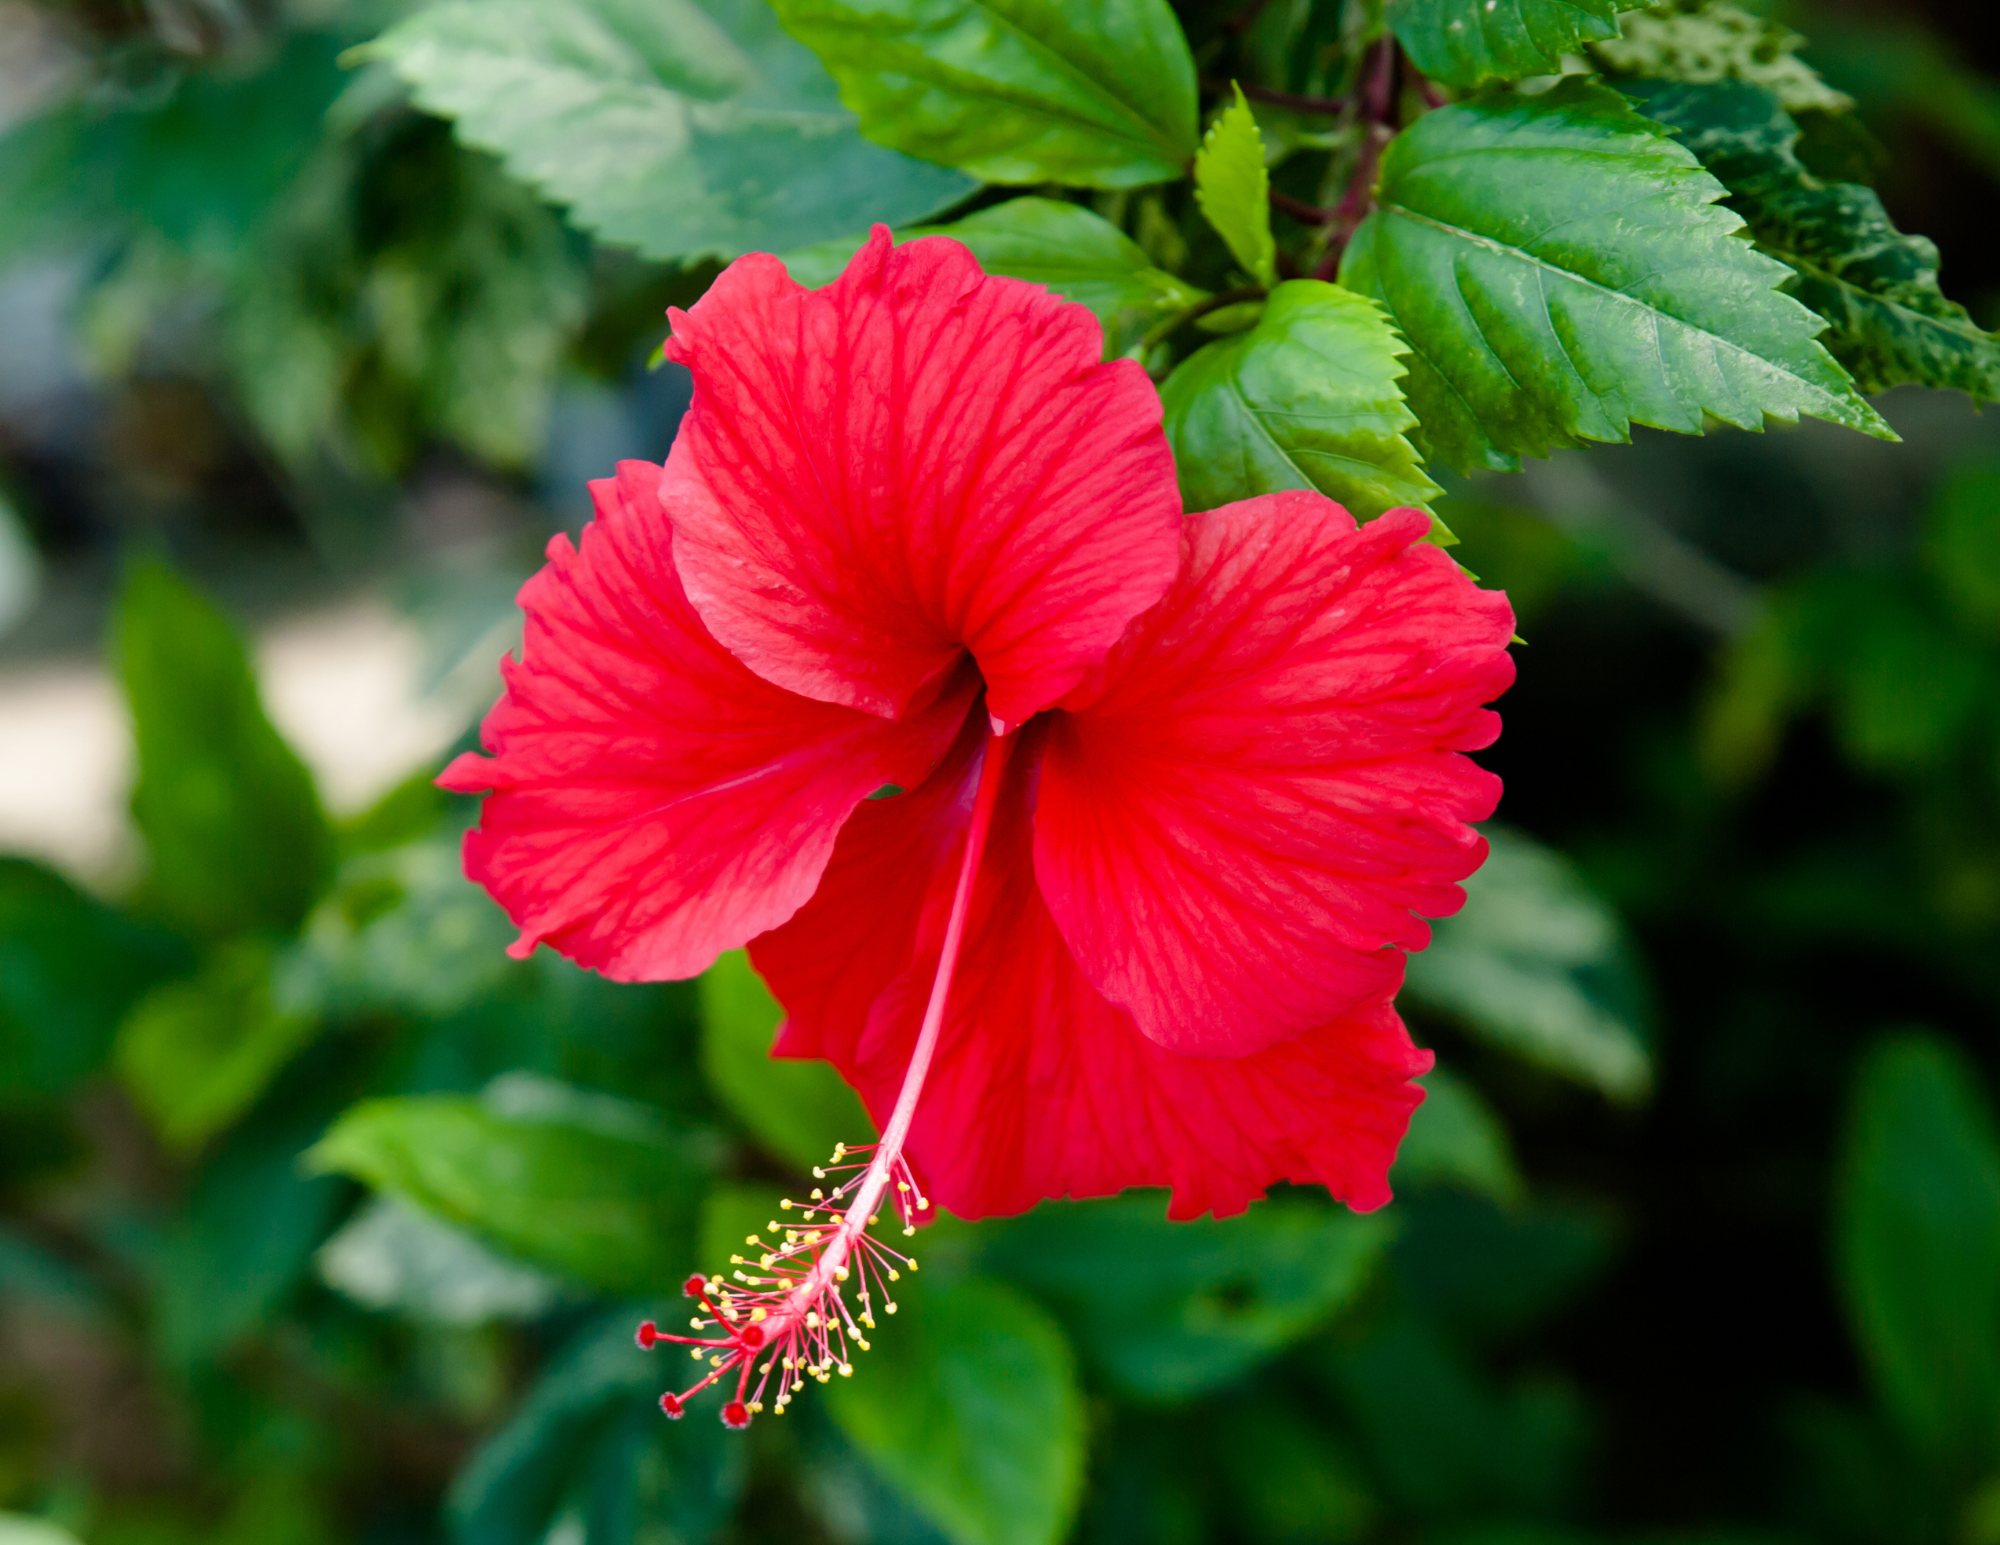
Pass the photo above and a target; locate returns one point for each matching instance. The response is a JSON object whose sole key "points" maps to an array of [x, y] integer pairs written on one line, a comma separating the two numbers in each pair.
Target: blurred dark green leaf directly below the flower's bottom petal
{"points": [[1171, 1310]]}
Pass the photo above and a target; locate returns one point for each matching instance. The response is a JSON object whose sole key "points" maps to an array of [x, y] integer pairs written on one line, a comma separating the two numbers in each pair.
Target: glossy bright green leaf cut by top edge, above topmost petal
{"points": [[1015, 91]]}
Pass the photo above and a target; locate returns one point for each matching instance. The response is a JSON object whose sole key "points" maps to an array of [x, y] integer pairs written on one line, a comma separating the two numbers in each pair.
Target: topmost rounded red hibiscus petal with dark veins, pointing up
{"points": [[915, 461]]}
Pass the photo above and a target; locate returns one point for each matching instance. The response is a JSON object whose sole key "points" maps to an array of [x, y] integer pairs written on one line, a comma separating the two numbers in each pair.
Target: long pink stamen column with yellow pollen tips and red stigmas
{"points": [[789, 1298]]}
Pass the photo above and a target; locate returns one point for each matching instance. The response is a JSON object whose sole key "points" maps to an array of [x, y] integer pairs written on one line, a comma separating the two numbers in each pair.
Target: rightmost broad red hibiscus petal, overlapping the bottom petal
{"points": [[1243, 814]]}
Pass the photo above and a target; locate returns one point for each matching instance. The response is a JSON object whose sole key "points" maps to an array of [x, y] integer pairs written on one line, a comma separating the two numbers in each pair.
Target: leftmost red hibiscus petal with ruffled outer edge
{"points": [[653, 802]]}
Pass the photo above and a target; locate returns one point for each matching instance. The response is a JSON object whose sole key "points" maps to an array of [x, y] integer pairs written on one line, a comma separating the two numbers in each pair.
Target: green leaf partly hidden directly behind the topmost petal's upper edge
{"points": [[1079, 255]]}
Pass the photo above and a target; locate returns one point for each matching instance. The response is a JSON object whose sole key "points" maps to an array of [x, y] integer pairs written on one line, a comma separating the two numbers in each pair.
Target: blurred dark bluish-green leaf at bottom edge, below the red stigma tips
{"points": [[589, 1456]]}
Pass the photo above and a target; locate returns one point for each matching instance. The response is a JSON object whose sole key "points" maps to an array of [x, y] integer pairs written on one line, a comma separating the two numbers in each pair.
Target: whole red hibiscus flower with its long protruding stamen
{"points": [[1169, 796]]}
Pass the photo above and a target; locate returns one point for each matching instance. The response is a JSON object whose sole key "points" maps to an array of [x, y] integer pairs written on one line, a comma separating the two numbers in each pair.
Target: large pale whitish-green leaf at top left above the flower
{"points": [[673, 127]]}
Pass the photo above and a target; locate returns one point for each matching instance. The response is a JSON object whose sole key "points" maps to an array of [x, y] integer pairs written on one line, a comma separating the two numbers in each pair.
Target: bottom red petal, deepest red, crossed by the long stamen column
{"points": [[1041, 1088]]}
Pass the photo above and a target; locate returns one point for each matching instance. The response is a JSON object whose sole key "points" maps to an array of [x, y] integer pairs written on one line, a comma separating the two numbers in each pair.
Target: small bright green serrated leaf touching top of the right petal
{"points": [[1307, 399]]}
